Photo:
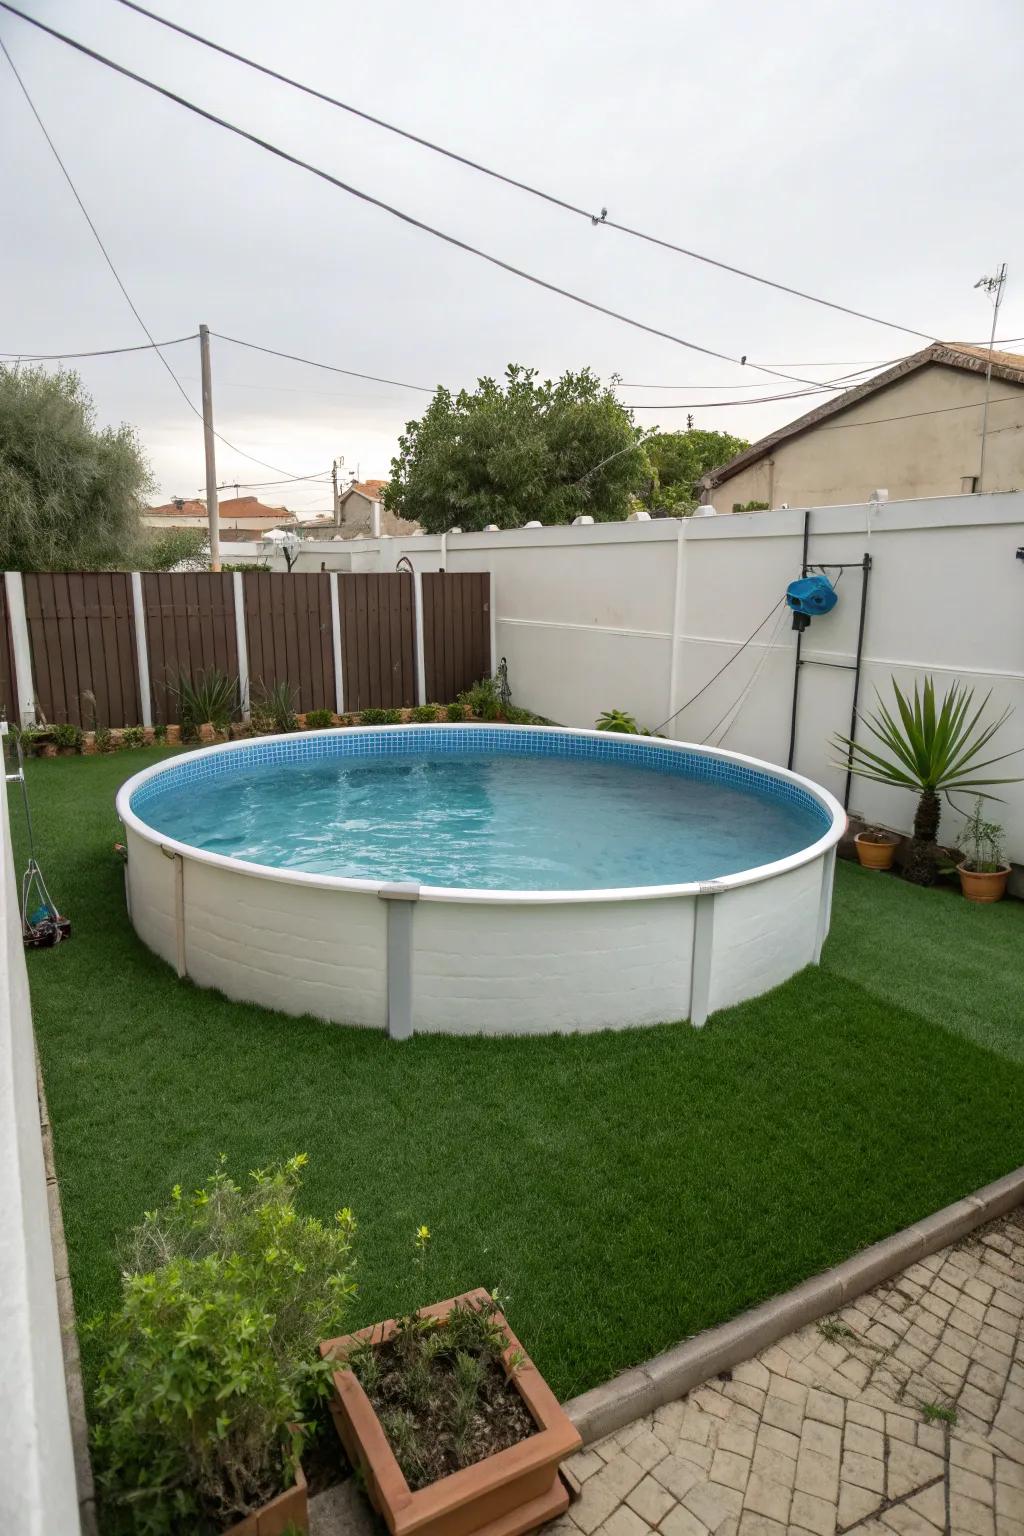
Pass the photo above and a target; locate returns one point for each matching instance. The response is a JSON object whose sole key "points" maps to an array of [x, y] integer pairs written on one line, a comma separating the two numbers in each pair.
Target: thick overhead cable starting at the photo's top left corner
{"points": [[388, 208]]}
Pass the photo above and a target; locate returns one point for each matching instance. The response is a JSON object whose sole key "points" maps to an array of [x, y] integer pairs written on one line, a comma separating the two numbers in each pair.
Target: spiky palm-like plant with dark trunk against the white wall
{"points": [[933, 747]]}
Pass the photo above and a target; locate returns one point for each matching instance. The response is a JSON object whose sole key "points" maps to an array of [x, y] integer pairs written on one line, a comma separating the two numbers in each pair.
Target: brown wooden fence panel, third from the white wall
{"points": [[289, 635]]}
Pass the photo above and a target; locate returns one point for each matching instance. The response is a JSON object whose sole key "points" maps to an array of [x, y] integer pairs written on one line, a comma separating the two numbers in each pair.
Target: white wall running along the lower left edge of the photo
{"points": [[38, 1474]]}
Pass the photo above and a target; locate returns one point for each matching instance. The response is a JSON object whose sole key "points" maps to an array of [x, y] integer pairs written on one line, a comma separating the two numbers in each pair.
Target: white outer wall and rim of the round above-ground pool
{"points": [[421, 959]]}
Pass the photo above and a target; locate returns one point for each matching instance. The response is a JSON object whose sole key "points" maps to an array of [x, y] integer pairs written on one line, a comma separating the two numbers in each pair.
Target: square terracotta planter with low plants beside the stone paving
{"points": [[451, 1423]]}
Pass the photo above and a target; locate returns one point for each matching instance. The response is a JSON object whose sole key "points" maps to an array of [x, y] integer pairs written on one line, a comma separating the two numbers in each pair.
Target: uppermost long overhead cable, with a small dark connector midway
{"points": [[523, 187]]}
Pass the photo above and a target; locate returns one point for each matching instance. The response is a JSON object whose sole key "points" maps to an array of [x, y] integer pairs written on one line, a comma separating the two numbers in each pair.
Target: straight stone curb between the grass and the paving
{"points": [[642, 1389]]}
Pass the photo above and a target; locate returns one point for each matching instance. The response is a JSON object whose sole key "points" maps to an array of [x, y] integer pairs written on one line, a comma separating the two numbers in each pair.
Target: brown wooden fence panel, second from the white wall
{"points": [[378, 643]]}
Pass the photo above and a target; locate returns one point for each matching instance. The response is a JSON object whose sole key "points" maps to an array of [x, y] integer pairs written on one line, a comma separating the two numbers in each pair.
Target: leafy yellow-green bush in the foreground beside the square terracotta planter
{"points": [[210, 1365]]}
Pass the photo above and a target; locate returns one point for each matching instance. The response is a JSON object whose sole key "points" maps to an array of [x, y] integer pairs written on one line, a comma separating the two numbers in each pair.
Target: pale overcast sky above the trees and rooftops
{"points": [[867, 153]]}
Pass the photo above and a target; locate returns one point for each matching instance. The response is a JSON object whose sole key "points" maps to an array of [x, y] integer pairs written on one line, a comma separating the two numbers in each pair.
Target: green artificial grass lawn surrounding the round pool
{"points": [[624, 1190]]}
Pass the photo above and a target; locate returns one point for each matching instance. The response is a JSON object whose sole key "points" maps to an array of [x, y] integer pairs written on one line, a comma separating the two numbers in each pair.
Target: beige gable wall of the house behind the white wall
{"points": [[845, 460]]}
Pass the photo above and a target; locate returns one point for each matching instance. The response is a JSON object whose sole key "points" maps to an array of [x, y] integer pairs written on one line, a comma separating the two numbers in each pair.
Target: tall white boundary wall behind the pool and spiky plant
{"points": [[641, 615]]}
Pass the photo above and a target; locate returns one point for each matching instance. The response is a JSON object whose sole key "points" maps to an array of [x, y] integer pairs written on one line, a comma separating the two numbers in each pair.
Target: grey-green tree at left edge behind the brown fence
{"points": [[71, 495]]}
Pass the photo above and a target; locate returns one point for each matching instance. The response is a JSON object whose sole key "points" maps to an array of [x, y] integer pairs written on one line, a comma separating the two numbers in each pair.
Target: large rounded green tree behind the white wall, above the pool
{"points": [[518, 451]]}
